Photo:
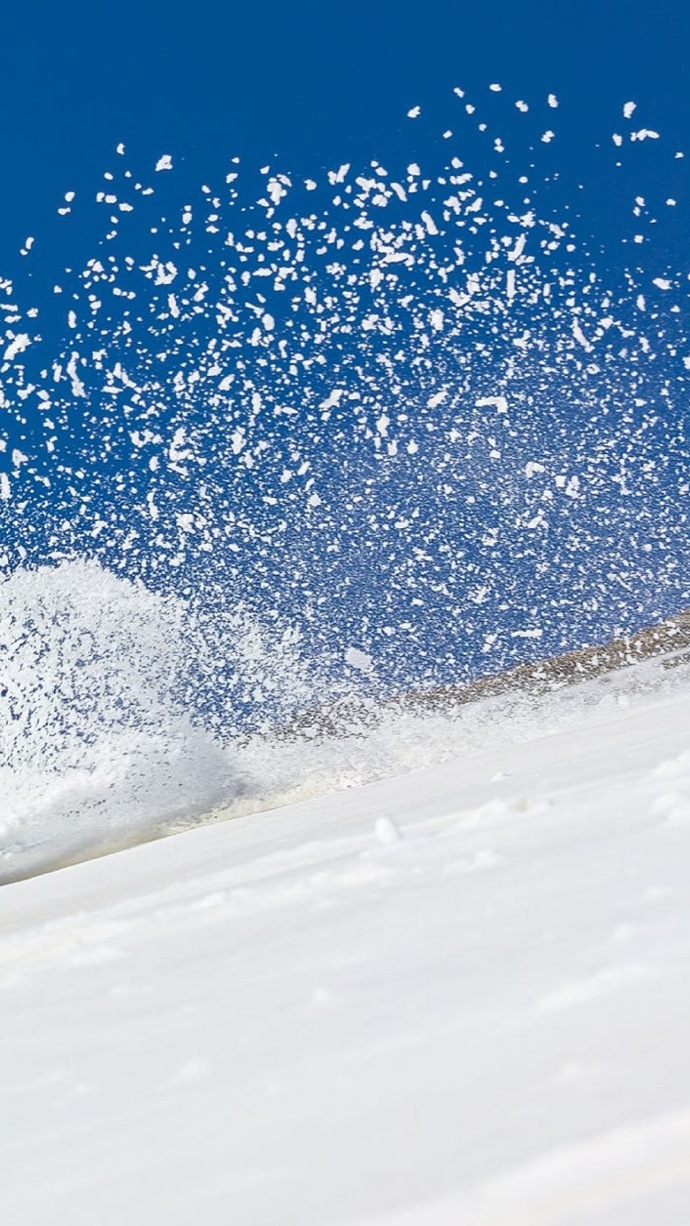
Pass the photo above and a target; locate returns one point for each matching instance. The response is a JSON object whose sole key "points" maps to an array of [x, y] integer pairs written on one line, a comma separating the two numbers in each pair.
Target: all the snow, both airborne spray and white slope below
{"points": [[434, 969]]}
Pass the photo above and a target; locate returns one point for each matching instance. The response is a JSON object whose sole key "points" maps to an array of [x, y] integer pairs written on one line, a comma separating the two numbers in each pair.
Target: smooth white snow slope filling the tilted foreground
{"points": [[460, 996]]}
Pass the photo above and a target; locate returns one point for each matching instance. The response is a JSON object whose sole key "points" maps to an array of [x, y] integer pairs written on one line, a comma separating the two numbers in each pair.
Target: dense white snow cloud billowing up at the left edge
{"points": [[100, 744]]}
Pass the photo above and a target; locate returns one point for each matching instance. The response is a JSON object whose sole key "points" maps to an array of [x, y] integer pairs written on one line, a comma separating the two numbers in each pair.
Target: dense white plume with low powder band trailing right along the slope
{"points": [[105, 744]]}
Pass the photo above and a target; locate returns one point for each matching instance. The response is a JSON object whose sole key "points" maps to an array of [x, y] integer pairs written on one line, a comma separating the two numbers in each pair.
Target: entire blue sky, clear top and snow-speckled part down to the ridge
{"points": [[566, 517]]}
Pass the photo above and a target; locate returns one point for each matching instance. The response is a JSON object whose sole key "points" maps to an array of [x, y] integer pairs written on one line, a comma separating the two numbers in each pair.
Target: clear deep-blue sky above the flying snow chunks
{"points": [[308, 82]]}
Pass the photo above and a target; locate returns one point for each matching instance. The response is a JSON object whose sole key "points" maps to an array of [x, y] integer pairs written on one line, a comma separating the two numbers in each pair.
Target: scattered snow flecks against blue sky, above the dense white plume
{"points": [[419, 411]]}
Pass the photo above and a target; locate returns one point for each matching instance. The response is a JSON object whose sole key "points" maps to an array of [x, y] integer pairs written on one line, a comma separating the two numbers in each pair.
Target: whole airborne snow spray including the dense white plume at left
{"points": [[284, 437]]}
